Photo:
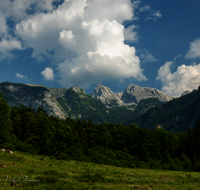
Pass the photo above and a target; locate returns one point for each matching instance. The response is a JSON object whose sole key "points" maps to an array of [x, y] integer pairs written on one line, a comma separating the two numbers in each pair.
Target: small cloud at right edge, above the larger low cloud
{"points": [[194, 51]]}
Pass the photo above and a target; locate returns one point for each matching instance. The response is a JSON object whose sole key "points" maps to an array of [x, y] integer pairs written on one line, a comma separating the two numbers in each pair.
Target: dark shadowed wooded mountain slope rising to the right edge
{"points": [[176, 115]]}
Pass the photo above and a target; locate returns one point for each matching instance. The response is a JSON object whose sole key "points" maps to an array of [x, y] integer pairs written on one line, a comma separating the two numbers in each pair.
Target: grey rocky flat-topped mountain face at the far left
{"points": [[31, 96]]}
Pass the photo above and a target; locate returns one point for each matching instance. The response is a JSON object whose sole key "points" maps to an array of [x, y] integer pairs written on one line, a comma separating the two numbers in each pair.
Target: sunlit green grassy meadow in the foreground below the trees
{"points": [[46, 173]]}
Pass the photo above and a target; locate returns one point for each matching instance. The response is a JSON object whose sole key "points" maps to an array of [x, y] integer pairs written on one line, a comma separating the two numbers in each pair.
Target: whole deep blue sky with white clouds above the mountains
{"points": [[65, 43]]}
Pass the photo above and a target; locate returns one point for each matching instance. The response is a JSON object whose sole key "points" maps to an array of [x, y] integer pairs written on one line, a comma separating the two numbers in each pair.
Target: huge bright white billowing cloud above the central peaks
{"points": [[85, 43]]}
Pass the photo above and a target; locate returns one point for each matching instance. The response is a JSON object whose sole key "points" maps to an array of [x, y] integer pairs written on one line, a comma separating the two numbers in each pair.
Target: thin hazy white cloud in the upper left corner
{"points": [[17, 10]]}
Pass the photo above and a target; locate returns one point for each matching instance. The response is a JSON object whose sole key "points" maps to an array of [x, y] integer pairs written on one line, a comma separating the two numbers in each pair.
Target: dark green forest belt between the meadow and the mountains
{"points": [[33, 131]]}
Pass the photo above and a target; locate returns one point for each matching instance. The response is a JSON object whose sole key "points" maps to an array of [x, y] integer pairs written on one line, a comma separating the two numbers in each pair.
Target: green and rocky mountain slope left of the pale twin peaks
{"points": [[62, 102]]}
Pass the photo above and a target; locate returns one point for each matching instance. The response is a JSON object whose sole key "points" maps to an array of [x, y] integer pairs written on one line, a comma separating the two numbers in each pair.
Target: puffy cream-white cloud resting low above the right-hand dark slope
{"points": [[185, 78]]}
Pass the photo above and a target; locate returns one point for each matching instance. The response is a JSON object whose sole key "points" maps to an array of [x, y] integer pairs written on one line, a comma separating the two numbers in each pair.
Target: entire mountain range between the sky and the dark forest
{"points": [[143, 106]]}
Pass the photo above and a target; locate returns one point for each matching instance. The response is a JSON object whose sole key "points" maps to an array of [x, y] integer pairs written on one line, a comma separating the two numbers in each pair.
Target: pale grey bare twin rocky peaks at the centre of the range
{"points": [[132, 95]]}
